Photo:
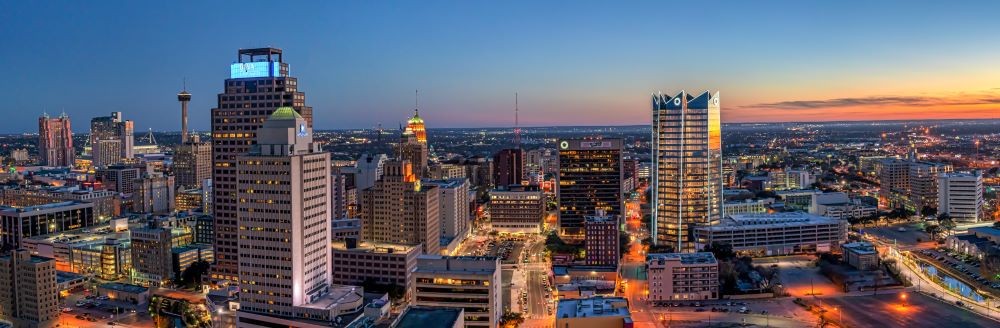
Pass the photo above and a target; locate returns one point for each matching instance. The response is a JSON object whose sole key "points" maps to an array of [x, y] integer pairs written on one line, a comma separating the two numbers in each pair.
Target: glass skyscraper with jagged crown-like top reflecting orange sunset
{"points": [[687, 166]]}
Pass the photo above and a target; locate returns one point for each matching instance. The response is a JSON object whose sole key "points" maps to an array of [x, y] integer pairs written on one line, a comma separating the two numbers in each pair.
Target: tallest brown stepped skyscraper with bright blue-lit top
{"points": [[259, 83]]}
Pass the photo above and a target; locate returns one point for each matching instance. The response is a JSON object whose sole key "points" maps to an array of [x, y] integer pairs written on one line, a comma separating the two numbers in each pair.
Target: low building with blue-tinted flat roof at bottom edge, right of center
{"points": [[594, 312]]}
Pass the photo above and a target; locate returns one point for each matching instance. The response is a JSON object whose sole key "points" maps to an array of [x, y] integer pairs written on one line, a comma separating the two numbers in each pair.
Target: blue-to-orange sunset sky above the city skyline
{"points": [[572, 62]]}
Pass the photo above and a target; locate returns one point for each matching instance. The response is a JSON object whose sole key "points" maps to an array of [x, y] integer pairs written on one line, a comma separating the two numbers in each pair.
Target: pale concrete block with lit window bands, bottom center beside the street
{"points": [[468, 282]]}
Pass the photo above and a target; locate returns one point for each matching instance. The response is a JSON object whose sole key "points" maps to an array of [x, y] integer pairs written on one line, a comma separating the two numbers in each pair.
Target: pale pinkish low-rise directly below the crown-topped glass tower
{"points": [[682, 276]]}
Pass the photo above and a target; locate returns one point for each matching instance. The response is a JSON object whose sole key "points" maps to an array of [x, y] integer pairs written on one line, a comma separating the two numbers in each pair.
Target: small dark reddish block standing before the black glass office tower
{"points": [[602, 241]]}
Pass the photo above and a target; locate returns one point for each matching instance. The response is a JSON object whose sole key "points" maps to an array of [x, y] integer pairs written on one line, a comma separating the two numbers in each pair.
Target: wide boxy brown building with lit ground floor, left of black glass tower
{"points": [[517, 210]]}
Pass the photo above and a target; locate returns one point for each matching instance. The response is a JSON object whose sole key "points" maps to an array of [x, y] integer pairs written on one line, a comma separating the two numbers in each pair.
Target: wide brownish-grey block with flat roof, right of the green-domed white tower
{"points": [[355, 262]]}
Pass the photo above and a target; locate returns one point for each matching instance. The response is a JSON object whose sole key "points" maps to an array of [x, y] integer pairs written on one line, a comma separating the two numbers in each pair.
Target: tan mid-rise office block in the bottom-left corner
{"points": [[28, 293]]}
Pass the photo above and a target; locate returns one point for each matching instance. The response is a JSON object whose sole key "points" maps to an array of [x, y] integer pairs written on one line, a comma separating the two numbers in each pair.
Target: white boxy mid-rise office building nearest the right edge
{"points": [[960, 195]]}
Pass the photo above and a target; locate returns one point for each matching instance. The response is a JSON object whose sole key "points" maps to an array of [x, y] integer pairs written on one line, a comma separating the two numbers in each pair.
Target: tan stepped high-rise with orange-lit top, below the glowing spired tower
{"points": [[398, 209]]}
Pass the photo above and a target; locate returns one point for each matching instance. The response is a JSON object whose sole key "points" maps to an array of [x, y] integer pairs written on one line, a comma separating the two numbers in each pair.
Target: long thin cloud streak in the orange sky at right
{"points": [[911, 101]]}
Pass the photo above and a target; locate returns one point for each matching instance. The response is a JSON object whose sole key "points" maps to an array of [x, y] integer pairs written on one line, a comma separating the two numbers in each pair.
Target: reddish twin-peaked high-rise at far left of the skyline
{"points": [[55, 141]]}
